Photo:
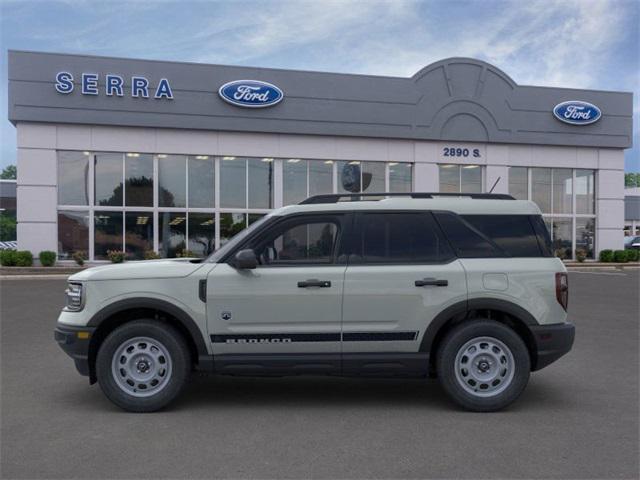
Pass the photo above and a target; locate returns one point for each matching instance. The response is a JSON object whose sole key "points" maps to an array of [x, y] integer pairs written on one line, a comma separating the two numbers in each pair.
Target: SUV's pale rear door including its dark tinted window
{"points": [[401, 274]]}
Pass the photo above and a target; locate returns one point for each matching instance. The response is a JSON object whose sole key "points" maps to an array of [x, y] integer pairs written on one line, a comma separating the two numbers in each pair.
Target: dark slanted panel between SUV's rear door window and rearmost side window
{"points": [[467, 242]]}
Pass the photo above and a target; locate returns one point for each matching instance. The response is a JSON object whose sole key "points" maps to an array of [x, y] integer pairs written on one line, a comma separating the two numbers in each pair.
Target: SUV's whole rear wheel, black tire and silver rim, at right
{"points": [[483, 365]]}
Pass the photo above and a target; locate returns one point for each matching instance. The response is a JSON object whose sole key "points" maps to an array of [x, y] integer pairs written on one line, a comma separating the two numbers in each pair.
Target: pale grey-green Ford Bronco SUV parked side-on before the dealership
{"points": [[462, 287]]}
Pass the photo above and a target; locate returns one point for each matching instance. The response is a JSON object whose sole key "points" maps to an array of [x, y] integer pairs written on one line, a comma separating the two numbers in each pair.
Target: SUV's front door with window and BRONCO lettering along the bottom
{"points": [[290, 305]]}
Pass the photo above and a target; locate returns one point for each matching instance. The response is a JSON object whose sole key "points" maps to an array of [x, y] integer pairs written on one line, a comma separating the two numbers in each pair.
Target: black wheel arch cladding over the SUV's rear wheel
{"points": [[502, 311]]}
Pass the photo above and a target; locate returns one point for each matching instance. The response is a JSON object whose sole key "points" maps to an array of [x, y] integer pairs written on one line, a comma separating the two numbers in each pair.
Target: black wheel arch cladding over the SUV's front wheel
{"points": [[123, 311]]}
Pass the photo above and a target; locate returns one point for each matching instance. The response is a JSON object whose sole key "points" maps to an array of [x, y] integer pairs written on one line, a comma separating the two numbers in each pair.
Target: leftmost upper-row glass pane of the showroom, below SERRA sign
{"points": [[73, 178]]}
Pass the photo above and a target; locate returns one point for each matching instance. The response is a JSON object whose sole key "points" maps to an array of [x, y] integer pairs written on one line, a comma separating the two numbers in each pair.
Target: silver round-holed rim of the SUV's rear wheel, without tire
{"points": [[484, 366]]}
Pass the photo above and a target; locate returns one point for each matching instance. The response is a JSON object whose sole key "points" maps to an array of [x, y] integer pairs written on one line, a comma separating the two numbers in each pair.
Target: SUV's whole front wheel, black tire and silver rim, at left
{"points": [[143, 365]]}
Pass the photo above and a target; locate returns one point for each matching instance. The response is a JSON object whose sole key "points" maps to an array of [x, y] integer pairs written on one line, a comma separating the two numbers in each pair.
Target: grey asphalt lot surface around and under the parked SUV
{"points": [[578, 418]]}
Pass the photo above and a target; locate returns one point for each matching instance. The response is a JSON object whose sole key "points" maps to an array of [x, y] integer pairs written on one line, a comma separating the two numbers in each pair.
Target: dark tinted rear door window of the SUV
{"points": [[400, 238]]}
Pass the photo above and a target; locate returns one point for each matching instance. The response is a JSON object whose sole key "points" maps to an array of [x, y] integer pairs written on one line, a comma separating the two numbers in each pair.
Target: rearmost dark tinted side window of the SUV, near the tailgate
{"points": [[512, 233]]}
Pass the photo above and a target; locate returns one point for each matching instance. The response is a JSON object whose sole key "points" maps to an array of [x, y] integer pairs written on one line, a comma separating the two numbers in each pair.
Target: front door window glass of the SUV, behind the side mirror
{"points": [[311, 241]]}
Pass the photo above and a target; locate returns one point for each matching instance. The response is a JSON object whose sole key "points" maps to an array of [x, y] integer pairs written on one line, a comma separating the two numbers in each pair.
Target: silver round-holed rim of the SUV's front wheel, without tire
{"points": [[141, 366]]}
